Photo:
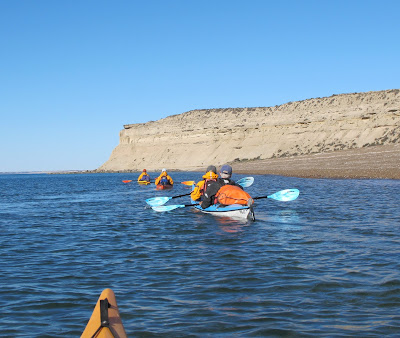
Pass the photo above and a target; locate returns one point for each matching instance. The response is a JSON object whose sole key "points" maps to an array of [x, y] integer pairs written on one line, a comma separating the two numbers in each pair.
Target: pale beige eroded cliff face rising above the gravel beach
{"points": [[197, 138]]}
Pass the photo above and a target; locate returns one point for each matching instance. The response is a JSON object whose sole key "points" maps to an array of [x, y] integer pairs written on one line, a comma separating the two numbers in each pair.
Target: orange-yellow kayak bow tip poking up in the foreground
{"points": [[105, 320]]}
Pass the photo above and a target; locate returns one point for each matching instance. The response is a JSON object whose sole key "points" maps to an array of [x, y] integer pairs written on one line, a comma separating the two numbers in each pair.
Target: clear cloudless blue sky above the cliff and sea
{"points": [[72, 73]]}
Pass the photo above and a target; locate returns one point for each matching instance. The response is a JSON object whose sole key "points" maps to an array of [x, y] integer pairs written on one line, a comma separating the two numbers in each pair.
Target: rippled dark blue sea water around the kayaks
{"points": [[327, 264]]}
